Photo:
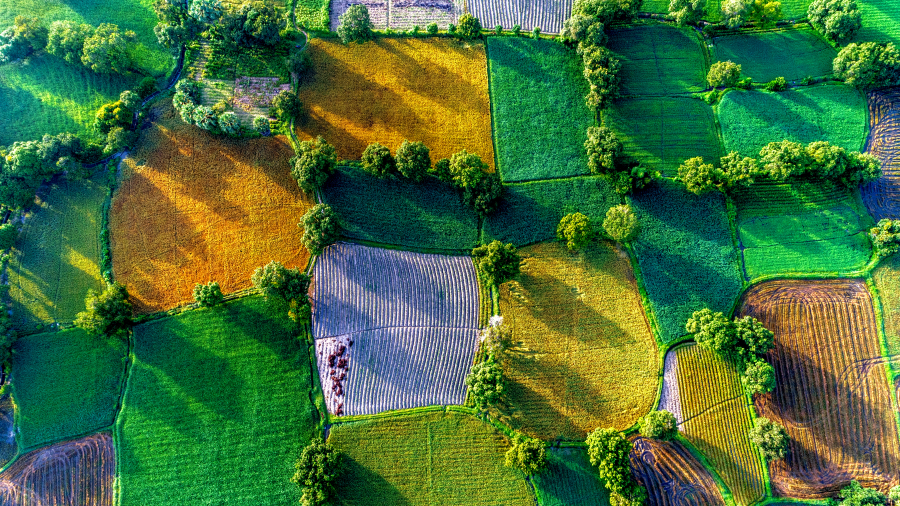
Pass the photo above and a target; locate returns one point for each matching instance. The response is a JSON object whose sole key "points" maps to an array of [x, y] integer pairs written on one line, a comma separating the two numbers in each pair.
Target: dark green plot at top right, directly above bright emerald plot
{"points": [[792, 54]]}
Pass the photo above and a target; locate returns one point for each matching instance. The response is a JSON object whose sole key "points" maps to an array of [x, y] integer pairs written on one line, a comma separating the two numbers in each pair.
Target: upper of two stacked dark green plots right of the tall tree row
{"points": [[659, 60]]}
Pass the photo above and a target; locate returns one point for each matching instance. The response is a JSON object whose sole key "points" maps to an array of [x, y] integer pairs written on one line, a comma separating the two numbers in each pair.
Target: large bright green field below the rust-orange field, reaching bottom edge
{"points": [[218, 407]]}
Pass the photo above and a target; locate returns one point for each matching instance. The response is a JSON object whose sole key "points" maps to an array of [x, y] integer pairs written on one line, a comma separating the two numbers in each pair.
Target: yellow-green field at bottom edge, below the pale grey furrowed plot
{"points": [[436, 457]]}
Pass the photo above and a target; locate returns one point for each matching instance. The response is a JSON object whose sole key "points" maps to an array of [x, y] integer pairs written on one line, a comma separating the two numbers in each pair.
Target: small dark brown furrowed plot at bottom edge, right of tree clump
{"points": [[672, 475]]}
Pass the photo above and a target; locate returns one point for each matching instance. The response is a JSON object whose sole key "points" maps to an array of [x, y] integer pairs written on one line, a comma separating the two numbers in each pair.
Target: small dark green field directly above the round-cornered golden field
{"points": [[530, 212]]}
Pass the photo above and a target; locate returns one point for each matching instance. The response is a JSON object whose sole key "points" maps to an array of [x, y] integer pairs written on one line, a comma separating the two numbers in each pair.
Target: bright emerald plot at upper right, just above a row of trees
{"points": [[833, 113]]}
